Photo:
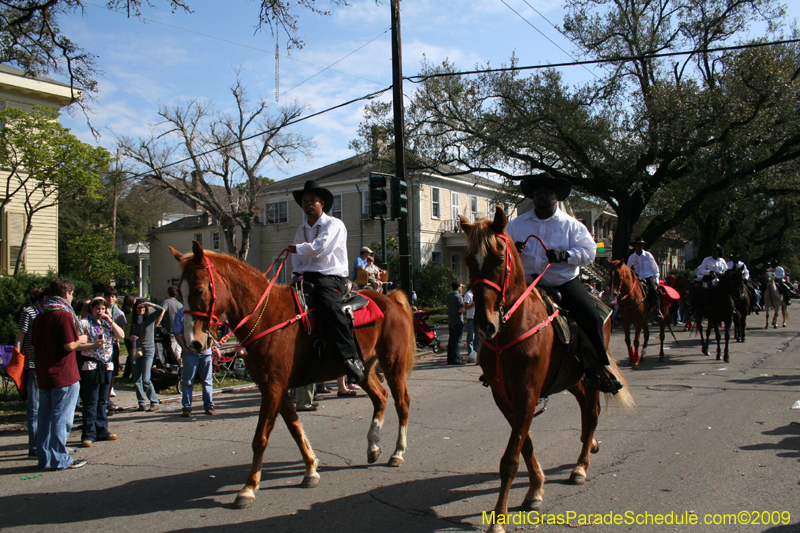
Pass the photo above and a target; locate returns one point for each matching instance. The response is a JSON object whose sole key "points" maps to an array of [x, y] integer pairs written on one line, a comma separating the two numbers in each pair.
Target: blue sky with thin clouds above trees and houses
{"points": [[170, 58]]}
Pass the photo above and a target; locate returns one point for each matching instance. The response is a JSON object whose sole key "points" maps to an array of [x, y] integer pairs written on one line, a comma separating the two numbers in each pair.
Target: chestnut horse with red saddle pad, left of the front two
{"points": [[218, 285]]}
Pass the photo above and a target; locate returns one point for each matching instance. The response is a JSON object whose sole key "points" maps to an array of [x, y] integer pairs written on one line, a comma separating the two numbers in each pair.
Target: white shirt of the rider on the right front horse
{"points": [[561, 232]]}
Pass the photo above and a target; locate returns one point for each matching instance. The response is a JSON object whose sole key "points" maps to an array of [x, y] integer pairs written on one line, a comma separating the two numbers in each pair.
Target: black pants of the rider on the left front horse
{"points": [[328, 292]]}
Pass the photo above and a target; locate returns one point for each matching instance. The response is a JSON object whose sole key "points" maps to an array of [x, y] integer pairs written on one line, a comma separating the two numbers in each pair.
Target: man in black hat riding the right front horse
{"points": [[569, 247]]}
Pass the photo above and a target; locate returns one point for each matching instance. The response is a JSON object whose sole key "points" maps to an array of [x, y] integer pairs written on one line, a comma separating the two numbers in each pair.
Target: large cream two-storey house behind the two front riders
{"points": [[434, 203]]}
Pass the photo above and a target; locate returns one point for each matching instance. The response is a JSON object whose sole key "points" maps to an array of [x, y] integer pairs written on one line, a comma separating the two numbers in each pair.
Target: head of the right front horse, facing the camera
{"points": [[495, 272]]}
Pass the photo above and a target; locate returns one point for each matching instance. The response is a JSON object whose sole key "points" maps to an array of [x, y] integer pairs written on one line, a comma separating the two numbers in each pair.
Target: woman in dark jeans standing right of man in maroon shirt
{"points": [[96, 364]]}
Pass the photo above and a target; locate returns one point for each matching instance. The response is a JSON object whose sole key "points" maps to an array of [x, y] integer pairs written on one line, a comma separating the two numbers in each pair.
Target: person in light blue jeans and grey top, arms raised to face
{"points": [[146, 316]]}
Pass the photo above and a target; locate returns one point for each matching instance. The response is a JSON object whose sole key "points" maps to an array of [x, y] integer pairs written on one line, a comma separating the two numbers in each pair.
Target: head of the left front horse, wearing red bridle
{"points": [[205, 295]]}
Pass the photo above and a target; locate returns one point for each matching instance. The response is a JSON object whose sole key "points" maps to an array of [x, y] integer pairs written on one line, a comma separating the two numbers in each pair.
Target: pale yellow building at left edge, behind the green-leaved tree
{"points": [[41, 253]]}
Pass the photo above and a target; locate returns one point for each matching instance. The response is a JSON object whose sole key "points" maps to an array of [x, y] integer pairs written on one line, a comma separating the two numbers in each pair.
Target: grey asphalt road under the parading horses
{"points": [[708, 437]]}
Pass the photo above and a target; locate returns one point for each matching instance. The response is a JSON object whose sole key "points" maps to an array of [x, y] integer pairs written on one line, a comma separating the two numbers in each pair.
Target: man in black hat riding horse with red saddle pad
{"points": [[320, 248]]}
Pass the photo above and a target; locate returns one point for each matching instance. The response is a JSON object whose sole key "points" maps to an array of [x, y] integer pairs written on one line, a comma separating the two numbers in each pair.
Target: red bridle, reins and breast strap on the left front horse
{"points": [[212, 317]]}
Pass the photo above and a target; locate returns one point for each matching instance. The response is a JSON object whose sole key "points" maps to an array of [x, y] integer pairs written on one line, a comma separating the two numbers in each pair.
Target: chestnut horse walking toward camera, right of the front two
{"points": [[522, 359]]}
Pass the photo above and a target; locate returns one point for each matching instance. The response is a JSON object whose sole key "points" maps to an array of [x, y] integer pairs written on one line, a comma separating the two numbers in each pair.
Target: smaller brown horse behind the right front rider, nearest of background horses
{"points": [[635, 310]]}
